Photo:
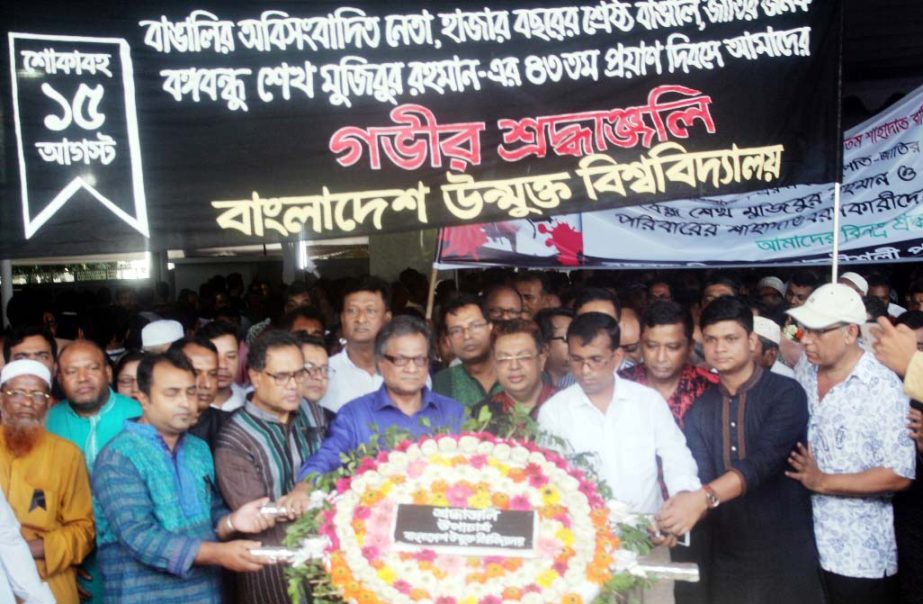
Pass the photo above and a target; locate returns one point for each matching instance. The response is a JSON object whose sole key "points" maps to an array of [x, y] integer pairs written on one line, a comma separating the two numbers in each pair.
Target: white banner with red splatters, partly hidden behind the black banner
{"points": [[881, 217]]}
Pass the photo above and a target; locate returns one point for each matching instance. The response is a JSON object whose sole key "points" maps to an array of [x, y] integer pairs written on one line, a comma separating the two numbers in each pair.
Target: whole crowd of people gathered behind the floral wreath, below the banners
{"points": [[771, 429]]}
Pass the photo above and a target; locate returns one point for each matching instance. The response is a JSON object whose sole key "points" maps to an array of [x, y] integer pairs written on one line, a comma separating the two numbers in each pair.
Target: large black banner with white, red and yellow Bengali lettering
{"points": [[170, 125]]}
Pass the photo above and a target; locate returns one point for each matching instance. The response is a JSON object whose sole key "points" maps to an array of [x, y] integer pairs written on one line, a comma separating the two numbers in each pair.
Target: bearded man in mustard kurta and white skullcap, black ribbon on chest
{"points": [[44, 479]]}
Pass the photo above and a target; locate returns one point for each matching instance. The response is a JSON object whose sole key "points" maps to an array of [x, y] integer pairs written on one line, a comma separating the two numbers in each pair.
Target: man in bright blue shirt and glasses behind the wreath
{"points": [[402, 352]]}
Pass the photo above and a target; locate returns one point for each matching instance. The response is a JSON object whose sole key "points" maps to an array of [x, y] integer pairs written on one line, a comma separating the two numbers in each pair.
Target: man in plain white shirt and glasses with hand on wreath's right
{"points": [[622, 426]]}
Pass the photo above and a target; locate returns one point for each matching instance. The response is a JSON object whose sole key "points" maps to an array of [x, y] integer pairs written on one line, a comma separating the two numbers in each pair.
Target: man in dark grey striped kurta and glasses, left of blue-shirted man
{"points": [[262, 446]]}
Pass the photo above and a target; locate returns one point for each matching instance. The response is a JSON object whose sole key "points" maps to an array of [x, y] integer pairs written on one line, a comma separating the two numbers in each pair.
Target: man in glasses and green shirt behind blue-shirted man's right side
{"points": [[468, 330]]}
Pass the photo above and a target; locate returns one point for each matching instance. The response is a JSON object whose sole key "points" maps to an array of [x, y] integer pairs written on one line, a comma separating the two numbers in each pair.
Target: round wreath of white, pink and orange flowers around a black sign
{"points": [[575, 547]]}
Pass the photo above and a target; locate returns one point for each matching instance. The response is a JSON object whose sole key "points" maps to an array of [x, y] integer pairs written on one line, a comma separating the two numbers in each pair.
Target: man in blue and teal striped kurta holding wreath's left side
{"points": [[163, 529]]}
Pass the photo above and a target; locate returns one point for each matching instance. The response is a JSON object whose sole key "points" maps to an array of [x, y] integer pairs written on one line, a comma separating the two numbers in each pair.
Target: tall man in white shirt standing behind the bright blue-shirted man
{"points": [[353, 371]]}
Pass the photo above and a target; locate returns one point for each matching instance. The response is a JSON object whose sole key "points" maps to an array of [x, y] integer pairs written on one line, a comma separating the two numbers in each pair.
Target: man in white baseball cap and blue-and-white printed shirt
{"points": [[858, 453]]}
